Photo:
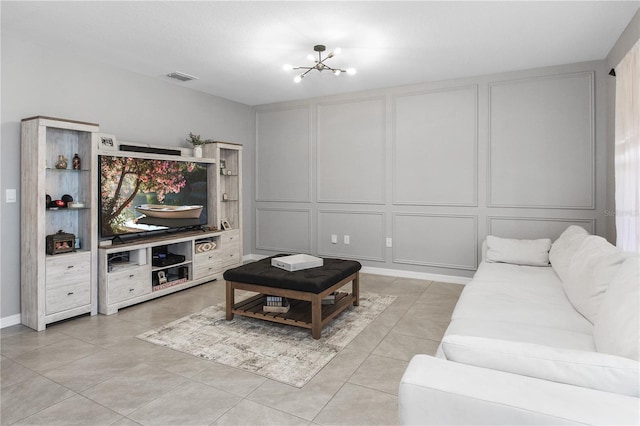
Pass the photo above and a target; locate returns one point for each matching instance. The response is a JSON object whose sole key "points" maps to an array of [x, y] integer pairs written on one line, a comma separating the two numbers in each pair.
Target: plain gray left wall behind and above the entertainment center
{"points": [[132, 107]]}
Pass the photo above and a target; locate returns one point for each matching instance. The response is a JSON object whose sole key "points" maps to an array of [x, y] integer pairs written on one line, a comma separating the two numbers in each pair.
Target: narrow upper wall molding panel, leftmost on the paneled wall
{"points": [[284, 154]]}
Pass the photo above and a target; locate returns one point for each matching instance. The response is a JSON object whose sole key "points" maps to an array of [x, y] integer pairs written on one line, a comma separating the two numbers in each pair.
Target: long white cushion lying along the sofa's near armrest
{"points": [[587, 369]]}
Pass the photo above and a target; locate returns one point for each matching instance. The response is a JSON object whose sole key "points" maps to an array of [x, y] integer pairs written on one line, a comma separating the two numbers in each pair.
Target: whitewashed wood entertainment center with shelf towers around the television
{"points": [[96, 274]]}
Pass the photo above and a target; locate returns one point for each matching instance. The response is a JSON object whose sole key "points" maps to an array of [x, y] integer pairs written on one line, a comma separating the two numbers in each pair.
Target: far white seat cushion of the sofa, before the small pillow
{"points": [[521, 296]]}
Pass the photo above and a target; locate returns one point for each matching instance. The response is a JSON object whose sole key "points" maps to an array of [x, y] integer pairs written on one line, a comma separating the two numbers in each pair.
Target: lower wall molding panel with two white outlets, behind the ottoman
{"points": [[364, 228]]}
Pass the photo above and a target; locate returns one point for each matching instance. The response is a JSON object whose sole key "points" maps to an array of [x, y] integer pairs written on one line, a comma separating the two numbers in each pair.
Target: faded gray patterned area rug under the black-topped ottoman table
{"points": [[284, 353]]}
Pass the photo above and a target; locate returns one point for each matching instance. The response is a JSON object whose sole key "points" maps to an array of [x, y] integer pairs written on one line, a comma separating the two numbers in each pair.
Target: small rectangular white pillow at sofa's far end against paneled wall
{"points": [[518, 252]]}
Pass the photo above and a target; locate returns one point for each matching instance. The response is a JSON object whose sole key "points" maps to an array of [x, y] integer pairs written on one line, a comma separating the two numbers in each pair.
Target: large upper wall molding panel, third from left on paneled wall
{"points": [[435, 138]]}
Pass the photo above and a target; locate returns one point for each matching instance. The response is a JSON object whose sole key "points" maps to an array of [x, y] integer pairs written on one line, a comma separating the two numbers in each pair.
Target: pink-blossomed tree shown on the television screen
{"points": [[127, 181]]}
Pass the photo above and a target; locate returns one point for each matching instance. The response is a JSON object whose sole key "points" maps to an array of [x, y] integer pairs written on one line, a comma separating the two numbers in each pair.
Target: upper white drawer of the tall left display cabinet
{"points": [[68, 269]]}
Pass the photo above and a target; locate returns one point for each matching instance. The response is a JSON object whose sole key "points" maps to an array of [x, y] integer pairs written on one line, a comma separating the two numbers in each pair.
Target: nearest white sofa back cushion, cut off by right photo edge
{"points": [[617, 329]]}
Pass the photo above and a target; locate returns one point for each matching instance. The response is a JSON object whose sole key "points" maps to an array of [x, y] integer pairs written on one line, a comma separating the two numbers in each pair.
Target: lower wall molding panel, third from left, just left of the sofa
{"points": [[447, 241]]}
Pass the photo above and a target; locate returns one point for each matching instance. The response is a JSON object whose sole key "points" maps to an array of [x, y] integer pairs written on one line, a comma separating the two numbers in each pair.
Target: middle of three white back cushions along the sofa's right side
{"points": [[591, 270]]}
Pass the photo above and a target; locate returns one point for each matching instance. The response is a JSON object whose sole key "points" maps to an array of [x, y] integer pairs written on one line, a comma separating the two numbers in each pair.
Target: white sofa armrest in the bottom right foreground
{"points": [[437, 391]]}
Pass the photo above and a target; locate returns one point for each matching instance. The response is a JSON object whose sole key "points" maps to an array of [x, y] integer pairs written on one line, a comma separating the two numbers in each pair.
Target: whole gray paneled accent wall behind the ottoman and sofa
{"points": [[436, 167]]}
